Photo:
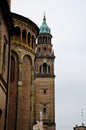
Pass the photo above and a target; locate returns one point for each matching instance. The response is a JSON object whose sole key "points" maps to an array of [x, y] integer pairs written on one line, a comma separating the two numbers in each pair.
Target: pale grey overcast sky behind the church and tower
{"points": [[67, 20]]}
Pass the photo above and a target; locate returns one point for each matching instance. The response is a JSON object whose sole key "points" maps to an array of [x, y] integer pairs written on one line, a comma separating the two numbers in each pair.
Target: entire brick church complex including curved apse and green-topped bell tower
{"points": [[27, 79]]}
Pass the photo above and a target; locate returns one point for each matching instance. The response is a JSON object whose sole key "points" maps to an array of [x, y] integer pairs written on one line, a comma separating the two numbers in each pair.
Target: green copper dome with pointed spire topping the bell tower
{"points": [[44, 27]]}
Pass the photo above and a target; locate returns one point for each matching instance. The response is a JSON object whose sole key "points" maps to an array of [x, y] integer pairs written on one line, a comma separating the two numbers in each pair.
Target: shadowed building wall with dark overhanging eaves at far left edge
{"points": [[5, 30]]}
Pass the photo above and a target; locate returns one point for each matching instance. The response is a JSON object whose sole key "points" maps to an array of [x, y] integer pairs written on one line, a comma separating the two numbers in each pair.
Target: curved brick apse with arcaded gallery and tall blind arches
{"points": [[22, 73]]}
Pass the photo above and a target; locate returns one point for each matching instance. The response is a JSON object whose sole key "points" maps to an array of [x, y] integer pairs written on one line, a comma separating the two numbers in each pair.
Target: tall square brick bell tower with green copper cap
{"points": [[44, 78]]}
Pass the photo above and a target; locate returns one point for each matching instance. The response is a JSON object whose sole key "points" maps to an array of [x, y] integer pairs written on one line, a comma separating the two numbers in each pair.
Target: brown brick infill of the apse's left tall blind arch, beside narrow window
{"points": [[12, 109]]}
